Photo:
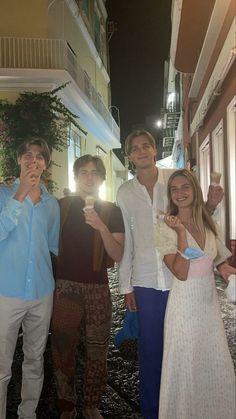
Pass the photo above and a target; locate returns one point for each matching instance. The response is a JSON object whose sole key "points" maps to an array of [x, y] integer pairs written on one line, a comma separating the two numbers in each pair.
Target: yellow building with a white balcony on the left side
{"points": [[46, 43]]}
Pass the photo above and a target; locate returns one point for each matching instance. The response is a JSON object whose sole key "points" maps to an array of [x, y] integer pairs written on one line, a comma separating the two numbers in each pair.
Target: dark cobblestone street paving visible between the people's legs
{"points": [[121, 398]]}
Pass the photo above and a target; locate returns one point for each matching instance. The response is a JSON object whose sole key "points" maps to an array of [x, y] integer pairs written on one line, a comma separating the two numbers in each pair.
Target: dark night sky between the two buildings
{"points": [[137, 52]]}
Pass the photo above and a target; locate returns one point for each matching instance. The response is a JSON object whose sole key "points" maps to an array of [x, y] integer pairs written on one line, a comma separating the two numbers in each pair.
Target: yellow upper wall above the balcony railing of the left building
{"points": [[33, 19]]}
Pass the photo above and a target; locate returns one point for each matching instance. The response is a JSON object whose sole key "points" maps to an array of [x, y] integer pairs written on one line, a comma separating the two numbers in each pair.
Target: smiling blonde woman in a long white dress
{"points": [[198, 379]]}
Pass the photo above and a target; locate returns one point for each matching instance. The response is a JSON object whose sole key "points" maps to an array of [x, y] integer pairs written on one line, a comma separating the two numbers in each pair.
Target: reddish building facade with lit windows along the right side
{"points": [[203, 54]]}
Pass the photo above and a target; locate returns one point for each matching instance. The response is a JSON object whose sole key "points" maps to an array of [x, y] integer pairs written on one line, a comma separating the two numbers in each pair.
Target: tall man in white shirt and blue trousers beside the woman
{"points": [[143, 281]]}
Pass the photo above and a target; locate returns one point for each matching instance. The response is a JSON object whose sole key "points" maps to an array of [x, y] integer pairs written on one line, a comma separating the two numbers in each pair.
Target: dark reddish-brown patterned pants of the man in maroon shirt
{"points": [[74, 303]]}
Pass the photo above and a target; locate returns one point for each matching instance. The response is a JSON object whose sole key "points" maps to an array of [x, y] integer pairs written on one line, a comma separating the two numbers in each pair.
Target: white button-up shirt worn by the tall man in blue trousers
{"points": [[141, 264]]}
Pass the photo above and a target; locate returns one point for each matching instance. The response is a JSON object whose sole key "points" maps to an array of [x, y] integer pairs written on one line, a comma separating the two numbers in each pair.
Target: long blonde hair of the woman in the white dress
{"points": [[199, 212]]}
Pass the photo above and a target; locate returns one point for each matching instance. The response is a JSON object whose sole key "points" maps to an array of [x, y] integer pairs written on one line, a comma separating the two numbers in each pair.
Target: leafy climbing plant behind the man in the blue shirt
{"points": [[38, 114]]}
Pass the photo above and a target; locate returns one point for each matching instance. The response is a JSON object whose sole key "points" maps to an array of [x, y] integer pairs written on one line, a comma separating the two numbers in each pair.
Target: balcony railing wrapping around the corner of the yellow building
{"points": [[53, 54]]}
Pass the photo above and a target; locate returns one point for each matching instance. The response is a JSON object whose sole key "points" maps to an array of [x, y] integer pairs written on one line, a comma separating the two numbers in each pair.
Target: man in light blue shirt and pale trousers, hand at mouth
{"points": [[29, 230]]}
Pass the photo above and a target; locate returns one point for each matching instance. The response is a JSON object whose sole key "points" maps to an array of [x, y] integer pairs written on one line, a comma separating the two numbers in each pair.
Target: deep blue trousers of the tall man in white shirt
{"points": [[151, 306]]}
